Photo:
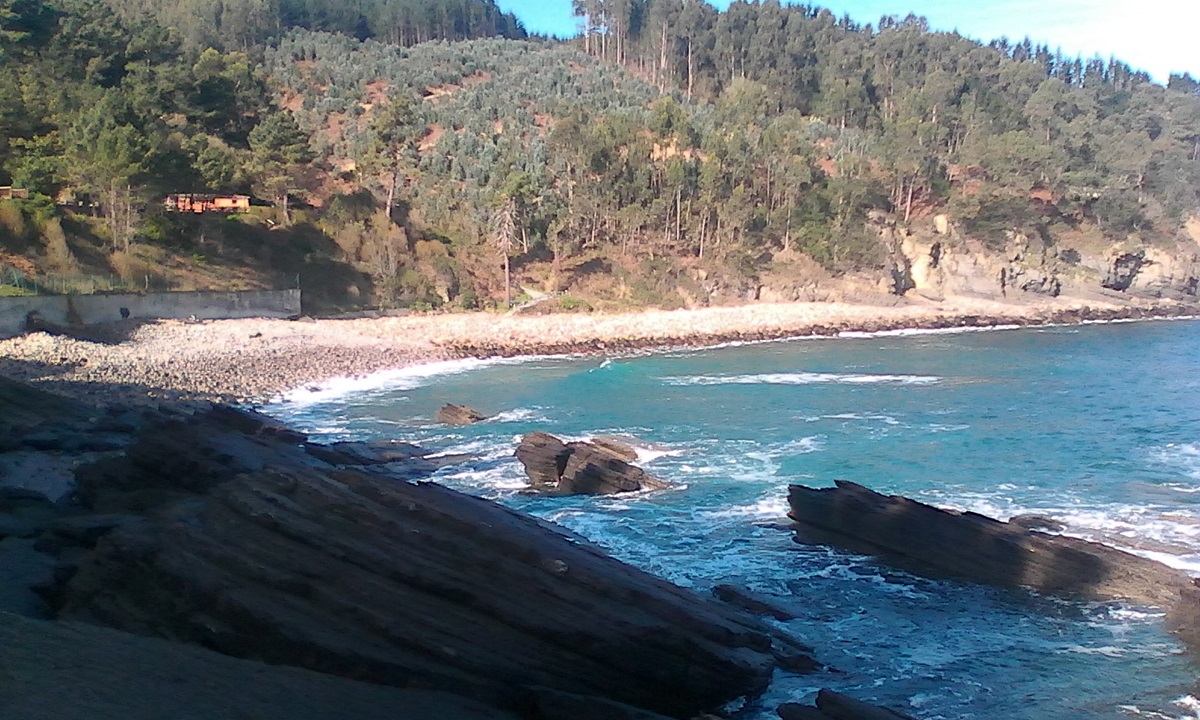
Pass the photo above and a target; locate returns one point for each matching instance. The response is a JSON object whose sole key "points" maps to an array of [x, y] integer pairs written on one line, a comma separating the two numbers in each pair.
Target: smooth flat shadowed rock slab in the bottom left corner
{"points": [[74, 671]]}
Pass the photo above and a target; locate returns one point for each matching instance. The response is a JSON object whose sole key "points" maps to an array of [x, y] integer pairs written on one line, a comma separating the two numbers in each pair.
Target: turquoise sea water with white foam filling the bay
{"points": [[1097, 425]]}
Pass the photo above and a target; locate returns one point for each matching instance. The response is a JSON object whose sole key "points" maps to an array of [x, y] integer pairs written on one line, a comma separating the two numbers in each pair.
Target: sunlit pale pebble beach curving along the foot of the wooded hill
{"points": [[254, 362]]}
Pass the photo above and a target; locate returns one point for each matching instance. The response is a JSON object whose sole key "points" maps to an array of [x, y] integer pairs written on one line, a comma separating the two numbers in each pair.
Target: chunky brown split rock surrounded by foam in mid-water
{"points": [[580, 469]]}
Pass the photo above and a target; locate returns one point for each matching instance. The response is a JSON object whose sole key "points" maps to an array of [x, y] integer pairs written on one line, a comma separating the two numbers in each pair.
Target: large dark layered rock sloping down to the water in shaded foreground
{"points": [[260, 550]]}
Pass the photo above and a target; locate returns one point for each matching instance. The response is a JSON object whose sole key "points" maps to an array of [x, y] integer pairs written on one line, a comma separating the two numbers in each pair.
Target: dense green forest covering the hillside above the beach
{"points": [[673, 154]]}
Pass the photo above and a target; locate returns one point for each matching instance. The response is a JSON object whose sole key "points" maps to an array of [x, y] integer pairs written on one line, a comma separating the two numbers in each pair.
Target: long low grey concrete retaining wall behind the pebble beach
{"points": [[89, 310]]}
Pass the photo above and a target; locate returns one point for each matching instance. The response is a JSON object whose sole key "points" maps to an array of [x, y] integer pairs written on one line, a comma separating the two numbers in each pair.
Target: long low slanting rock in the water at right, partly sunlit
{"points": [[977, 548]]}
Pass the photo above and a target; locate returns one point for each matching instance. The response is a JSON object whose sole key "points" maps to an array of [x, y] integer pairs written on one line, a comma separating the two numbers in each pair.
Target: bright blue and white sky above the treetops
{"points": [[1159, 37]]}
